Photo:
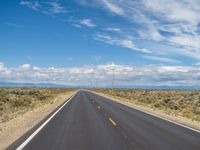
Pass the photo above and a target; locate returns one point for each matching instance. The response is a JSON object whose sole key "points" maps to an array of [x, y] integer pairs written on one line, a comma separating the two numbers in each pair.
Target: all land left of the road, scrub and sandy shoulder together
{"points": [[23, 108]]}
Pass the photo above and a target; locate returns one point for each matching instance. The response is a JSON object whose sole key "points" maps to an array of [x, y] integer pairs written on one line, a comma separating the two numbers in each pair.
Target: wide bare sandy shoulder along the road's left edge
{"points": [[11, 130]]}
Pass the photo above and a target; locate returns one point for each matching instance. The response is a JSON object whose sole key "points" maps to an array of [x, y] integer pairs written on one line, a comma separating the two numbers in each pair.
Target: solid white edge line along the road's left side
{"points": [[42, 126]]}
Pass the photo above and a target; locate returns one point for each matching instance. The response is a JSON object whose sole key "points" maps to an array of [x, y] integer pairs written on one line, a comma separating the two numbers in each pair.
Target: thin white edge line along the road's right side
{"points": [[118, 101]]}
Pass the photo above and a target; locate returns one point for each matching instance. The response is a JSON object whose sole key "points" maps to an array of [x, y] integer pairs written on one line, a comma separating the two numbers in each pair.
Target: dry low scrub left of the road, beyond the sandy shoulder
{"points": [[14, 101]]}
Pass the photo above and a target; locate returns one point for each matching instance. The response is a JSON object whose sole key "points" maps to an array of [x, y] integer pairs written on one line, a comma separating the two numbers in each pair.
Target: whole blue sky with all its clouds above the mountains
{"points": [[75, 42]]}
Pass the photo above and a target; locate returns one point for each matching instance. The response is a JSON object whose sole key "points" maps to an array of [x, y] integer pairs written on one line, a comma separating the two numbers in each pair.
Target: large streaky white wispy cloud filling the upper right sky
{"points": [[169, 22]]}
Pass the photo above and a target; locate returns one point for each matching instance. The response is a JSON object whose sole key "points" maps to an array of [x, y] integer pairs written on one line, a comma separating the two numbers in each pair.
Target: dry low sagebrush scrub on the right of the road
{"points": [[185, 103]]}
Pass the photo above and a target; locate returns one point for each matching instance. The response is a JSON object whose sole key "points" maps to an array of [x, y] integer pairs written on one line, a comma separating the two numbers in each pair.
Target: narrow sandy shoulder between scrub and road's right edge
{"points": [[159, 113]]}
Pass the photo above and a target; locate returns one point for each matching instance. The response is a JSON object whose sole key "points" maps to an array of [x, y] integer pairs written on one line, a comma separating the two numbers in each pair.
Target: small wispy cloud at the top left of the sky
{"points": [[45, 7]]}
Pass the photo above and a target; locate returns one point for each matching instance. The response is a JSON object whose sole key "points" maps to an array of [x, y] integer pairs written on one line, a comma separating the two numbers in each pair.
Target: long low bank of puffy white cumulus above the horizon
{"points": [[147, 75]]}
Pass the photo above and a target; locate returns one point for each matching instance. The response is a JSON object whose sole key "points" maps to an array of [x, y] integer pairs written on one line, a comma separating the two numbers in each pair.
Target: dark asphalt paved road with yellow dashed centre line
{"points": [[91, 122]]}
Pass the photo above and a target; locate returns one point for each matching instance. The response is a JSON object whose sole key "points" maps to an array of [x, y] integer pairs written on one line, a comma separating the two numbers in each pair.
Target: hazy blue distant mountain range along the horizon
{"points": [[50, 85]]}
